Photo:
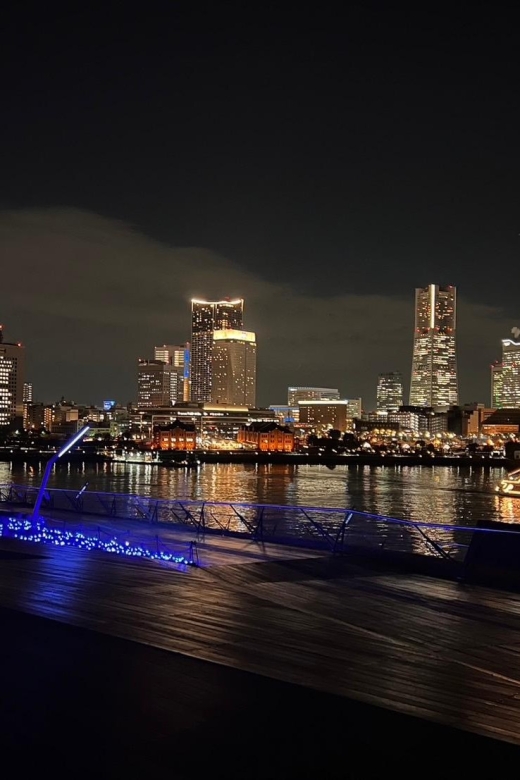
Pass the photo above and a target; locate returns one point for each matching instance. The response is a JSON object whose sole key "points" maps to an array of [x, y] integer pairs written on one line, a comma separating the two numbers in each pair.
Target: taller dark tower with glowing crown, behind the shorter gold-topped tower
{"points": [[207, 317]]}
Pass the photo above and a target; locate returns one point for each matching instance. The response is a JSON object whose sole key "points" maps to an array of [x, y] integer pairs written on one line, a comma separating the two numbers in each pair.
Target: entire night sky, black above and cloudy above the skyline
{"points": [[320, 167]]}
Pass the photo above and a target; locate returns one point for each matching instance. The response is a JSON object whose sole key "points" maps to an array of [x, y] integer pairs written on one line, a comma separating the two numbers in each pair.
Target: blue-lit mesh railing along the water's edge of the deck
{"points": [[337, 530]]}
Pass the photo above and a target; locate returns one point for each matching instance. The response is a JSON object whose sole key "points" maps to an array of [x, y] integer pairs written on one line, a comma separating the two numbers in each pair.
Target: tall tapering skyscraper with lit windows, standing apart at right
{"points": [[434, 366]]}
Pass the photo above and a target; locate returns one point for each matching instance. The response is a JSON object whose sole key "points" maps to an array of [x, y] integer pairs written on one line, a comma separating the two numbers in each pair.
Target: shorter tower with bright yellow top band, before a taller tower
{"points": [[234, 367]]}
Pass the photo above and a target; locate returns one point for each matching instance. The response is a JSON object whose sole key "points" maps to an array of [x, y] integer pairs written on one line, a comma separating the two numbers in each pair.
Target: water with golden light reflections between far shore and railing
{"points": [[429, 494]]}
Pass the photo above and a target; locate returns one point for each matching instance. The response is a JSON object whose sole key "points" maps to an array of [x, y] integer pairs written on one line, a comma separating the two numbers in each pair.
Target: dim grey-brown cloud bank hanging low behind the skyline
{"points": [[89, 295]]}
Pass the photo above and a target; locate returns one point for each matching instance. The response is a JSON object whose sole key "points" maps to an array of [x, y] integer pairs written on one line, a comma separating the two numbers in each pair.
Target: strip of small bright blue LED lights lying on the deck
{"points": [[29, 530]]}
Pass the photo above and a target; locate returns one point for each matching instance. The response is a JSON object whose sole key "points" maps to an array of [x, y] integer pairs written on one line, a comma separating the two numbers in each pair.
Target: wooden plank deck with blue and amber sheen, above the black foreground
{"points": [[438, 650]]}
